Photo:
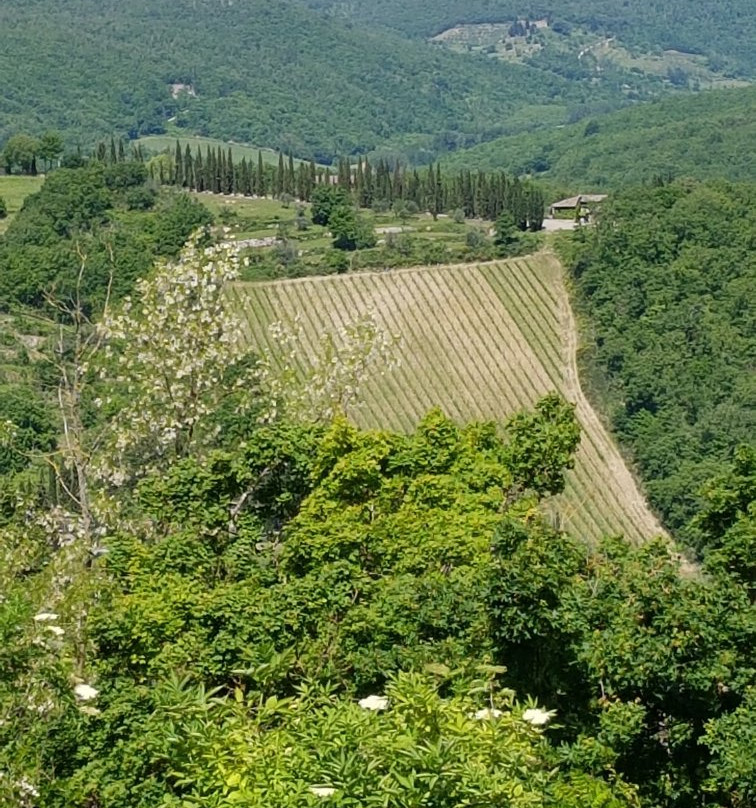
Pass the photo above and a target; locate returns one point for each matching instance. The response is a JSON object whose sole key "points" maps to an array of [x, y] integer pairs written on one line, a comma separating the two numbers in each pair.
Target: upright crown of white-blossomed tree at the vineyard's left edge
{"points": [[165, 354]]}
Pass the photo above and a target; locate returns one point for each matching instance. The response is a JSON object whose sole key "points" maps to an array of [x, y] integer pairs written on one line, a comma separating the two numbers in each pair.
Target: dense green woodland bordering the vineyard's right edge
{"points": [[666, 284]]}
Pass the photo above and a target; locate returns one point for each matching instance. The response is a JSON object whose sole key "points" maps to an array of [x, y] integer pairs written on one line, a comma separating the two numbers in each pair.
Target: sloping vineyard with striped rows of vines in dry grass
{"points": [[481, 341]]}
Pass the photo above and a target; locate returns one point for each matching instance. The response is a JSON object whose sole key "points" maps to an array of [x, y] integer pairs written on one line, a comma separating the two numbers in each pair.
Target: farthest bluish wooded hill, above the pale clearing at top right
{"points": [[674, 25]]}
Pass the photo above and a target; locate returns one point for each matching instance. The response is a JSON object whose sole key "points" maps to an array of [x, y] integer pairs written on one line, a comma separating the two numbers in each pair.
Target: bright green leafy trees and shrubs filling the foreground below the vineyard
{"points": [[250, 598]]}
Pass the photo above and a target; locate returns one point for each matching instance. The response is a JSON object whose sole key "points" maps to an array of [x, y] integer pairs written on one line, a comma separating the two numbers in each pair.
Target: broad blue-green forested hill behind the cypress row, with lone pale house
{"points": [[275, 74]]}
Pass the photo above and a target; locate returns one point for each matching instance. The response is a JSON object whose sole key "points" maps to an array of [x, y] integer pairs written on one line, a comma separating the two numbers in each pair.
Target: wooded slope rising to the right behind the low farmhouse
{"points": [[704, 136]]}
